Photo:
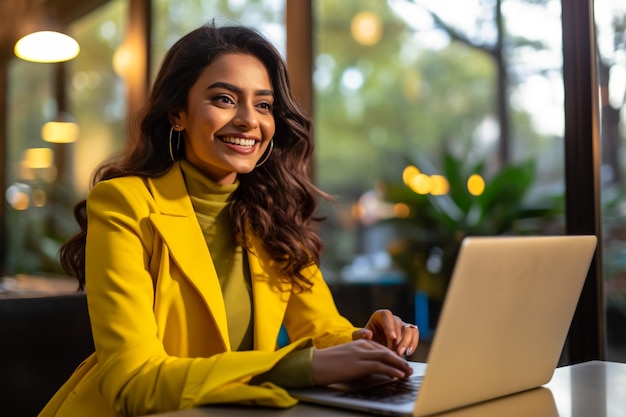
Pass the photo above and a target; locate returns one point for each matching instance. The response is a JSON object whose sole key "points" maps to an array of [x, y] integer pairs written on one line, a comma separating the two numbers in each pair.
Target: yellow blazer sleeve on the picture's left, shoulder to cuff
{"points": [[136, 375]]}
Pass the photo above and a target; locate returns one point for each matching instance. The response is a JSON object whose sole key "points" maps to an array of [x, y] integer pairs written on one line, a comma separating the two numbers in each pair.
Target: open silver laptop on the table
{"points": [[501, 330]]}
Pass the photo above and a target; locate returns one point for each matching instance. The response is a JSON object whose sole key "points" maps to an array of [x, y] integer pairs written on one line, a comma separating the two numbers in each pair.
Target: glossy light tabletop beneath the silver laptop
{"points": [[590, 389]]}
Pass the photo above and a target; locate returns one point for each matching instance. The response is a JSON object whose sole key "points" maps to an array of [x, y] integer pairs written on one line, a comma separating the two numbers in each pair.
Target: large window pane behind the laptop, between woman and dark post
{"points": [[404, 84]]}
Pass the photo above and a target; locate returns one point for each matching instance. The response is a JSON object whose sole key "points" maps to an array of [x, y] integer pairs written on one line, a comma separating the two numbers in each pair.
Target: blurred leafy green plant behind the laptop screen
{"points": [[428, 238]]}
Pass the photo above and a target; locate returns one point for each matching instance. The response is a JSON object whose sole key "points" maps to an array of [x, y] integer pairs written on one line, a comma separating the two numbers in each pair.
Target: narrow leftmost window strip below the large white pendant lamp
{"points": [[30, 165]]}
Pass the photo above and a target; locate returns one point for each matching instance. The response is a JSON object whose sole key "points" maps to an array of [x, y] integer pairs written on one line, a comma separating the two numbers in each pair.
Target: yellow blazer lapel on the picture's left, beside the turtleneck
{"points": [[177, 225]]}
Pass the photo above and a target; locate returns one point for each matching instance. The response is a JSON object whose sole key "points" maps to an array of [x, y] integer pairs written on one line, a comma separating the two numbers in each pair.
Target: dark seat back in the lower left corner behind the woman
{"points": [[43, 339]]}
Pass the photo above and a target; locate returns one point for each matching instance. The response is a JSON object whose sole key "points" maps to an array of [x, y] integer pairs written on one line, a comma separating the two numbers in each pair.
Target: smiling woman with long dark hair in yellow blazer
{"points": [[197, 246]]}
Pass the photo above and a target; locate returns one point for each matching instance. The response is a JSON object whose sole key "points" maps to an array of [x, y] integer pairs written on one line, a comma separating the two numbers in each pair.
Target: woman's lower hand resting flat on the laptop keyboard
{"points": [[357, 359]]}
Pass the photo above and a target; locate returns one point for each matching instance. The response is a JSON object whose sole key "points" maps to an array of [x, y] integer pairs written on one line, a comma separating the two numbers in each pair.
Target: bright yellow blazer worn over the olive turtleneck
{"points": [[158, 316]]}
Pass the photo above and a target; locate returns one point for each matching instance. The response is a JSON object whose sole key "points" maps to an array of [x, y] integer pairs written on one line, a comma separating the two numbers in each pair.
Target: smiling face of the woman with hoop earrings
{"points": [[228, 122]]}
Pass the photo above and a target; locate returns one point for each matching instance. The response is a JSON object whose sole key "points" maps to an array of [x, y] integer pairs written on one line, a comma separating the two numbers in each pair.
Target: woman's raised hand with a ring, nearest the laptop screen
{"points": [[389, 330]]}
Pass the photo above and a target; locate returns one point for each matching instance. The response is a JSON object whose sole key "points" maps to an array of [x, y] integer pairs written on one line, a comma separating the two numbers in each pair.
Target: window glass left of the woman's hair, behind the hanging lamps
{"points": [[47, 179]]}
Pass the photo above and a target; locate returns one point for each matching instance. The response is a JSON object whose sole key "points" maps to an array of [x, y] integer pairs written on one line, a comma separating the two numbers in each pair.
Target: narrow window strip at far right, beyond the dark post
{"points": [[610, 18]]}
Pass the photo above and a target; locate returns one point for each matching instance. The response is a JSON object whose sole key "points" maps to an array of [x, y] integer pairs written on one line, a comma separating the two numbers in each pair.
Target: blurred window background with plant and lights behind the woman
{"points": [[433, 120]]}
